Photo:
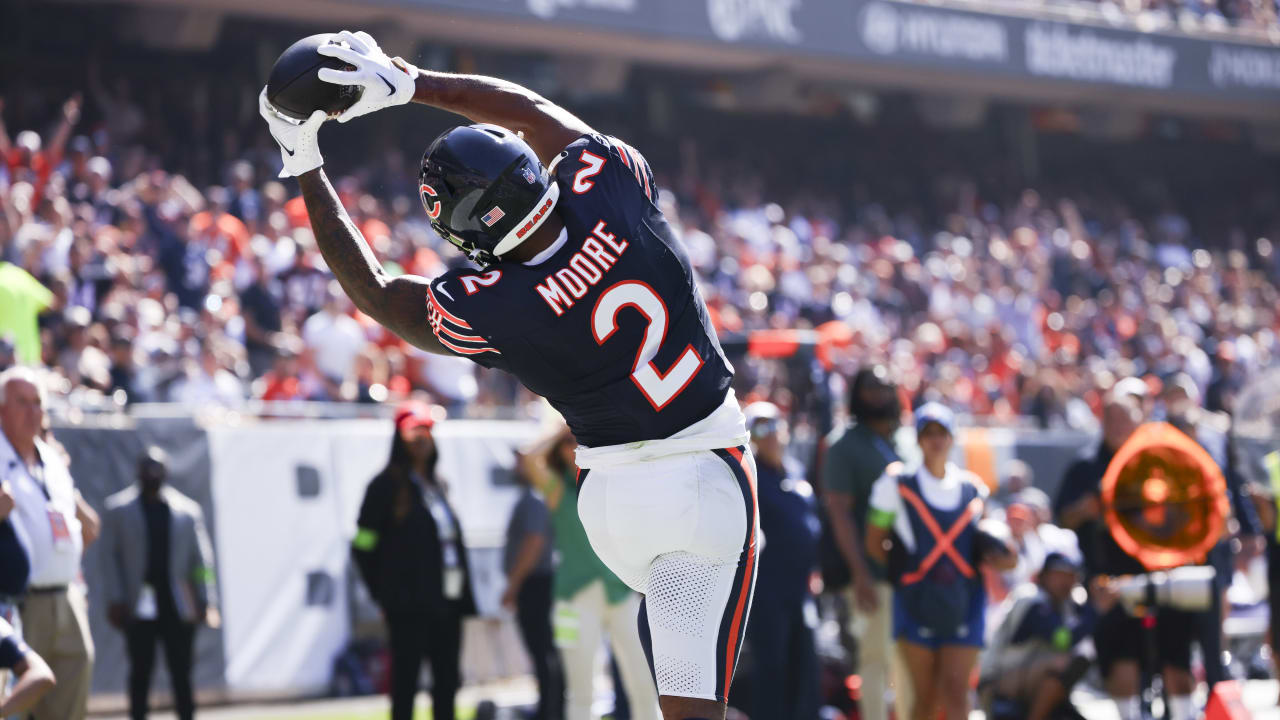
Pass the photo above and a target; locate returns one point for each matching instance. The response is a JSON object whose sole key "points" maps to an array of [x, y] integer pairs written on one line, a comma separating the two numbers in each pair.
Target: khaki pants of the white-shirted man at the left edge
{"points": [[56, 626]]}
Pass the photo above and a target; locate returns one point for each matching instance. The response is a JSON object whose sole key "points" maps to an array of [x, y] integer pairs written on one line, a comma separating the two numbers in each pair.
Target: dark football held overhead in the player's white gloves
{"points": [[295, 88]]}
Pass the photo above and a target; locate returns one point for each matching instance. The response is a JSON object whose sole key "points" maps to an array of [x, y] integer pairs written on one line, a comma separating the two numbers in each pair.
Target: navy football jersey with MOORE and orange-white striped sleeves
{"points": [[611, 327]]}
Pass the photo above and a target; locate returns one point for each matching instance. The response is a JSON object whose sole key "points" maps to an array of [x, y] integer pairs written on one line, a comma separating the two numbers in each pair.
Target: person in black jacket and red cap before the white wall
{"points": [[410, 553]]}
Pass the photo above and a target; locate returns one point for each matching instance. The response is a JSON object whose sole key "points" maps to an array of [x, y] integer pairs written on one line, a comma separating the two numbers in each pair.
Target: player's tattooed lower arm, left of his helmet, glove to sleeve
{"points": [[397, 303]]}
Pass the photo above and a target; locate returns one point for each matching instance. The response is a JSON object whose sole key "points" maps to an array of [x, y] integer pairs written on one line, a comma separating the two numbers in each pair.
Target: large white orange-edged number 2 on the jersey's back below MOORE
{"points": [[660, 389]]}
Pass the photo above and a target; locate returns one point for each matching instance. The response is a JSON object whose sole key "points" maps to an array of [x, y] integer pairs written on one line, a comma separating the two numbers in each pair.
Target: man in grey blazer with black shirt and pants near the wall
{"points": [[159, 581]]}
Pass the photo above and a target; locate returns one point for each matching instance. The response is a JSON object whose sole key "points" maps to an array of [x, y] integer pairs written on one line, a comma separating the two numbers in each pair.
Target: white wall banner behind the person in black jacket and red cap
{"points": [[289, 495]]}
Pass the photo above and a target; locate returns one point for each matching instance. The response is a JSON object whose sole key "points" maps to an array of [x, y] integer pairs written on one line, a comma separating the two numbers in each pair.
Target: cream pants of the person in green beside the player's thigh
{"points": [[580, 623]]}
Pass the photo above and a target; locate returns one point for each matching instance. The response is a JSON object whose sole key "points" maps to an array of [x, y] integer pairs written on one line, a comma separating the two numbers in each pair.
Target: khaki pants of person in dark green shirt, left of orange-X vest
{"points": [[879, 664]]}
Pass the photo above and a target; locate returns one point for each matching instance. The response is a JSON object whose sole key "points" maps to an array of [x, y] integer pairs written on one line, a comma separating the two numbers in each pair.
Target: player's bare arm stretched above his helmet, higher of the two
{"points": [[547, 127]]}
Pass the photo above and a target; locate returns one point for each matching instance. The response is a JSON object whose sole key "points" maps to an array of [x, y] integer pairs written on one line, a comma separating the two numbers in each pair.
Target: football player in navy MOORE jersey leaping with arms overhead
{"points": [[584, 293]]}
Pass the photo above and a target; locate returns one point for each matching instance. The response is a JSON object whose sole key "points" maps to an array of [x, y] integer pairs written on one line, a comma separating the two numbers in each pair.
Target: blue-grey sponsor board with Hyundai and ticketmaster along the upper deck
{"points": [[1046, 53]]}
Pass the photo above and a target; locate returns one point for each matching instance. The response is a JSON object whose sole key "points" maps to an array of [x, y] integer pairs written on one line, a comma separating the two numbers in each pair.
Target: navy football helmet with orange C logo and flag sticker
{"points": [[486, 190]]}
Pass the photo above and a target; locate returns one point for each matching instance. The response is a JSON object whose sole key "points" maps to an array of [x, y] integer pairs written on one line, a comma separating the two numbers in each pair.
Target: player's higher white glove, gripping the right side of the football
{"points": [[385, 81]]}
